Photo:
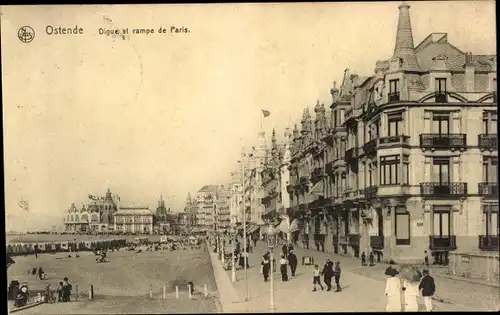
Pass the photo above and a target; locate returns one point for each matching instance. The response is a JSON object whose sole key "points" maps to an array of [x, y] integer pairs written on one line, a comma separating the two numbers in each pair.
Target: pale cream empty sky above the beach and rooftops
{"points": [[155, 114]]}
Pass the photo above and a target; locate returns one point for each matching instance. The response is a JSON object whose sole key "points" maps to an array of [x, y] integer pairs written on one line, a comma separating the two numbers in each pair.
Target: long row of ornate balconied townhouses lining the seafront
{"points": [[403, 161]]}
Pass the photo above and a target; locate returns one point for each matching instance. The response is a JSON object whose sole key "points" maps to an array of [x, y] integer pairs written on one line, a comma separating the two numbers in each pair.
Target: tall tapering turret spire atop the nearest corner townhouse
{"points": [[404, 47]]}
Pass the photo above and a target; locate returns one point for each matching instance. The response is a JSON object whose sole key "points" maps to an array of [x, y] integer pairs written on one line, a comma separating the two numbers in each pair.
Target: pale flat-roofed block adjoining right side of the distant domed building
{"points": [[135, 220]]}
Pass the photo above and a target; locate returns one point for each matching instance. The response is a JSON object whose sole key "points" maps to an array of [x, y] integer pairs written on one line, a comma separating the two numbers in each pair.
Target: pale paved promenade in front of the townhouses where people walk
{"points": [[362, 288]]}
